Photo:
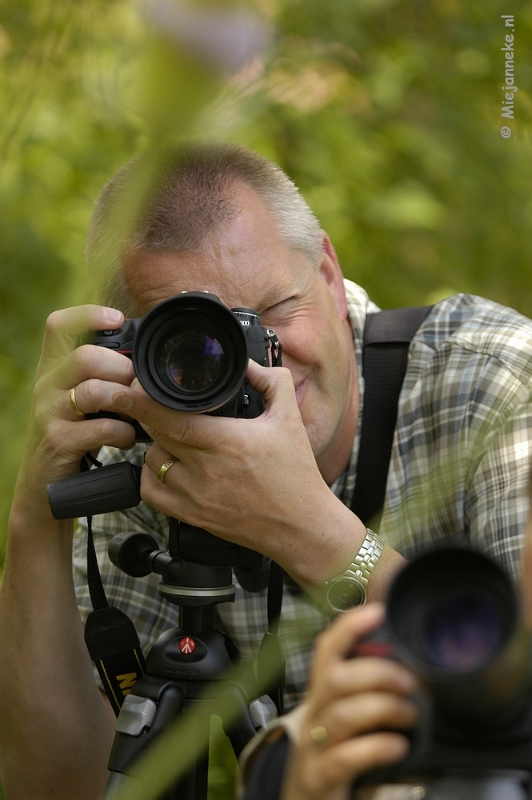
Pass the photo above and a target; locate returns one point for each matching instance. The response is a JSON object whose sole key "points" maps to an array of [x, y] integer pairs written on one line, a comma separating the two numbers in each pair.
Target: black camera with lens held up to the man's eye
{"points": [[191, 352]]}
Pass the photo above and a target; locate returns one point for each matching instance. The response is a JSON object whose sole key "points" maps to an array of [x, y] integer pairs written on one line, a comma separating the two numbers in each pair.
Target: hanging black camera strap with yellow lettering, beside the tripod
{"points": [[110, 635]]}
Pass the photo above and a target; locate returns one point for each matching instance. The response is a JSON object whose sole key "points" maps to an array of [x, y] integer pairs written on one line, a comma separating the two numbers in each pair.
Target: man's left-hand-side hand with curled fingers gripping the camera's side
{"points": [[57, 437]]}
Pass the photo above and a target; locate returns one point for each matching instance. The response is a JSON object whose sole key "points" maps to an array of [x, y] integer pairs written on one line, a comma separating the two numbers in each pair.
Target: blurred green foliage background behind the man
{"points": [[407, 124]]}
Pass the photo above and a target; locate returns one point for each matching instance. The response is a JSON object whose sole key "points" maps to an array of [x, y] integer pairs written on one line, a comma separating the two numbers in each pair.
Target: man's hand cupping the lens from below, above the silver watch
{"points": [[251, 481]]}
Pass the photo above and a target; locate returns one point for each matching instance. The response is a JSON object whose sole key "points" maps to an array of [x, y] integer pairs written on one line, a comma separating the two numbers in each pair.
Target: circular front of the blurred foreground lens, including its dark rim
{"points": [[451, 610]]}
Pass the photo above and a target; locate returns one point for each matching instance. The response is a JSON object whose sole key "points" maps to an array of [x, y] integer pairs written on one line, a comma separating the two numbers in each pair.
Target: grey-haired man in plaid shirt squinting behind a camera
{"points": [[223, 220]]}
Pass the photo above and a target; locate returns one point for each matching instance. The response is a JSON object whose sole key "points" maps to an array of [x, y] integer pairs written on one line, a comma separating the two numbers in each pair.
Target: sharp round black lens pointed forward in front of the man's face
{"points": [[190, 353]]}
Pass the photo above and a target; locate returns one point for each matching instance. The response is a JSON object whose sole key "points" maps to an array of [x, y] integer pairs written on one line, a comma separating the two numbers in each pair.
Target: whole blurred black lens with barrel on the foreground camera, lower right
{"points": [[453, 618]]}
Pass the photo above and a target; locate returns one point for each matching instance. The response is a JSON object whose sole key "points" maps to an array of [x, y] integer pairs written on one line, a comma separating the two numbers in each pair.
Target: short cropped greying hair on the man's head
{"points": [[191, 196]]}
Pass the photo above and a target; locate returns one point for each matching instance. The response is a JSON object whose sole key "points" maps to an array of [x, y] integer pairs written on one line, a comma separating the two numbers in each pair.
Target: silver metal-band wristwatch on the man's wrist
{"points": [[351, 588]]}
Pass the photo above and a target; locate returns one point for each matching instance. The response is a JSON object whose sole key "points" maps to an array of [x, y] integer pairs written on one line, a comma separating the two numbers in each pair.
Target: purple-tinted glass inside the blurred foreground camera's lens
{"points": [[461, 631]]}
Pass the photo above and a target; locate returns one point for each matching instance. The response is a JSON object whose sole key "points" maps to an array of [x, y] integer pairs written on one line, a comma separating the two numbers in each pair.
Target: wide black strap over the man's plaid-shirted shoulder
{"points": [[387, 337]]}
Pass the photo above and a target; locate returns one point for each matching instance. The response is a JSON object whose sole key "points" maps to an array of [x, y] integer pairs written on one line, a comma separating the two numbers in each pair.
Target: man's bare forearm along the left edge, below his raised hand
{"points": [[56, 734]]}
